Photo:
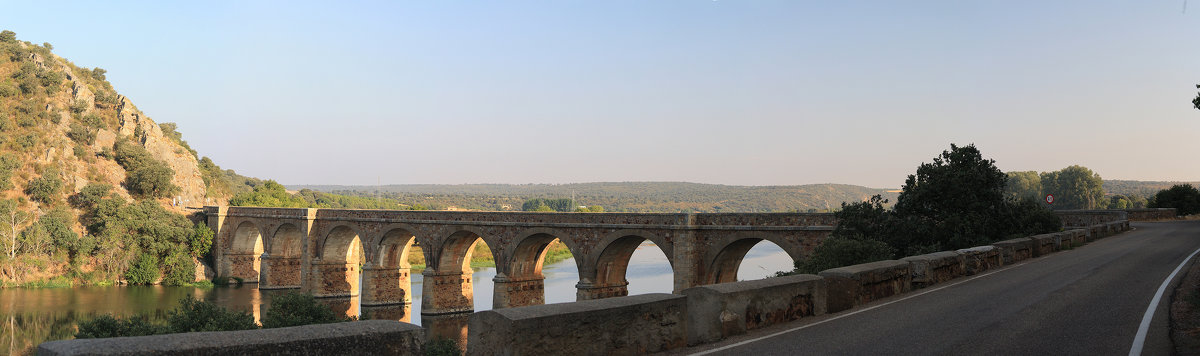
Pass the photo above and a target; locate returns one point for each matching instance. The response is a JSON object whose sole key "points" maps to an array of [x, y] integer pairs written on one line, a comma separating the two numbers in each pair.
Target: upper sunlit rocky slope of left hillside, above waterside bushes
{"points": [[61, 118]]}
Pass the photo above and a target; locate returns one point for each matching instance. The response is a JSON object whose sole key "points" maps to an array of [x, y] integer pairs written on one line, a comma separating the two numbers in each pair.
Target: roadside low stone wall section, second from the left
{"points": [[631, 325]]}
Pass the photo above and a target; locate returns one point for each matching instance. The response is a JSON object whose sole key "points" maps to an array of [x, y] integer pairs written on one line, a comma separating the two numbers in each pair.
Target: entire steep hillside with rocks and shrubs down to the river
{"points": [[88, 182]]}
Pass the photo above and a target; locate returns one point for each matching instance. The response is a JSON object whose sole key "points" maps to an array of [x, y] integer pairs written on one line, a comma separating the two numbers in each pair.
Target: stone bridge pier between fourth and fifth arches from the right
{"points": [[447, 293]]}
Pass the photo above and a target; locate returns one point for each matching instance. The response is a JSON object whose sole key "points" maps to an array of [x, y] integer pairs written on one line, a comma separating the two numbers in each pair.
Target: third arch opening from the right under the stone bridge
{"points": [[524, 283]]}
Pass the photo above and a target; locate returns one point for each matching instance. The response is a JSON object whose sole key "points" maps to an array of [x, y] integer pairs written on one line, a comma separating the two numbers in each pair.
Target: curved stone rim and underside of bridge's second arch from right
{"points": [[607, 276]]}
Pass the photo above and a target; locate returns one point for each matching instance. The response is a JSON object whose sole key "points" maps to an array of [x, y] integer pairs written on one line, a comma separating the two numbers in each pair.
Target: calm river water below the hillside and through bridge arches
{"points": [[31, 317]]}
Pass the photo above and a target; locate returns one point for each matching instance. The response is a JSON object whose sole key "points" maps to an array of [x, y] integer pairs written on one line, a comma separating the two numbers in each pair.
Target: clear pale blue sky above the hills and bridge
{"points": [[737, 93]]}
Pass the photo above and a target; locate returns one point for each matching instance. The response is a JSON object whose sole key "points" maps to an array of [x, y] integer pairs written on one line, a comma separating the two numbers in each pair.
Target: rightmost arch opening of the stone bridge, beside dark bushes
{"points": [[761, 258]]}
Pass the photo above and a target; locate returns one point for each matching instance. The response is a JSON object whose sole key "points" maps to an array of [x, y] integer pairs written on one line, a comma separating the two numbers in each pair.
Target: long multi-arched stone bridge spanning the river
{"points": [[326, 251]]}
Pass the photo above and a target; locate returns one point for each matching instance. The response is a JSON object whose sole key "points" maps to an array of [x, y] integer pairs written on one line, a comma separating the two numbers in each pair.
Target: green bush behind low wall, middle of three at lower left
{"points": [[195, 316]]}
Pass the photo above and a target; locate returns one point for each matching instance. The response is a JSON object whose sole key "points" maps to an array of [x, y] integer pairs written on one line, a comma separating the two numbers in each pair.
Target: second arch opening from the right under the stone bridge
{"points": [[631, 266]]}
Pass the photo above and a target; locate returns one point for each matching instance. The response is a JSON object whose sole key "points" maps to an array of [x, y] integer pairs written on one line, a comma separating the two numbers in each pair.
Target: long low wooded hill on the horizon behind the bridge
{"points": [[629, 197]]}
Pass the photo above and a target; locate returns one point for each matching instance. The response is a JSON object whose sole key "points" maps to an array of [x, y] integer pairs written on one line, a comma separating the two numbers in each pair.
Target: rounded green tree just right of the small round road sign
{"points": [[1075, 188]]}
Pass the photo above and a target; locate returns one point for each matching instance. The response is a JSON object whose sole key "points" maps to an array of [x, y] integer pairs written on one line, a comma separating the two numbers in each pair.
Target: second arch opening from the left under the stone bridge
{"points": [[283, 262]]}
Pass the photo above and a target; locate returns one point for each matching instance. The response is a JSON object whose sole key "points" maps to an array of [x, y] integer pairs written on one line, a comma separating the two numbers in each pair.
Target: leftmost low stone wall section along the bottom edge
{"points": [[369, 337]]}
